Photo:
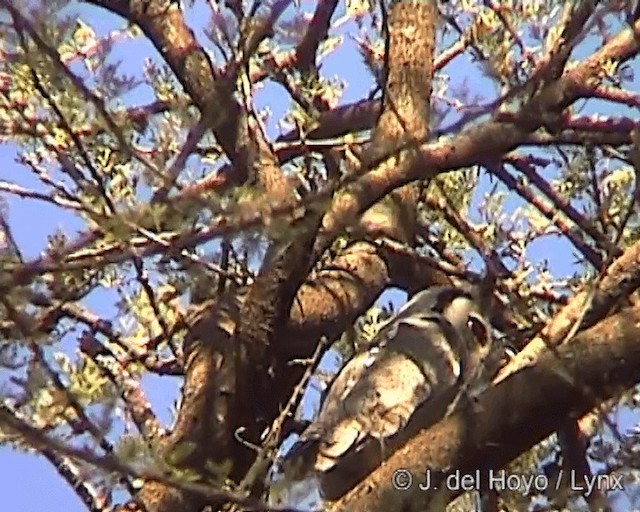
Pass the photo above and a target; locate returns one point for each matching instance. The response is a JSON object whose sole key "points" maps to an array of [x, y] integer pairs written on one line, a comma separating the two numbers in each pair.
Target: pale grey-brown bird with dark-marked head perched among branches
{"points": [[433, 347]]}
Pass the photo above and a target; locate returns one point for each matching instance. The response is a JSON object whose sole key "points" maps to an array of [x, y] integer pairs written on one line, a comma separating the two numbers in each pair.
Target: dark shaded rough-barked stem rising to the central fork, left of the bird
{"points": [[263, 378]]}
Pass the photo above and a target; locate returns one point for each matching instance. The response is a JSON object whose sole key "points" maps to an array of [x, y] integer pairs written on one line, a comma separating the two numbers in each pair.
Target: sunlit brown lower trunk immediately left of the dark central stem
{"points": [[208, 401]]}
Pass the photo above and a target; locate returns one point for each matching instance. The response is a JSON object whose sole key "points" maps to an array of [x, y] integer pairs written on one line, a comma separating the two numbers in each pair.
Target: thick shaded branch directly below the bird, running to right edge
{"points": [[510, 418]]}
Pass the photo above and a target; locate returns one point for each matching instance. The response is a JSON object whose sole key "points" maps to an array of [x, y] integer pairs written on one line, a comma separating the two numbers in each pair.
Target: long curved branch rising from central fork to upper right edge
{"points": [[474, 144]]}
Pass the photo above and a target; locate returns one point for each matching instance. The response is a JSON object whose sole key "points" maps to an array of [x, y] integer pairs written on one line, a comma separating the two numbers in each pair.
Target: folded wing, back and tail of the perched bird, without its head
{"points": [[377, 392]]}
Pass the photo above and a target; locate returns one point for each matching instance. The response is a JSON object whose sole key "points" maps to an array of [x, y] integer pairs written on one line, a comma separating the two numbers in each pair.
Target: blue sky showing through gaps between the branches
{"points": [[29, 483]]}
